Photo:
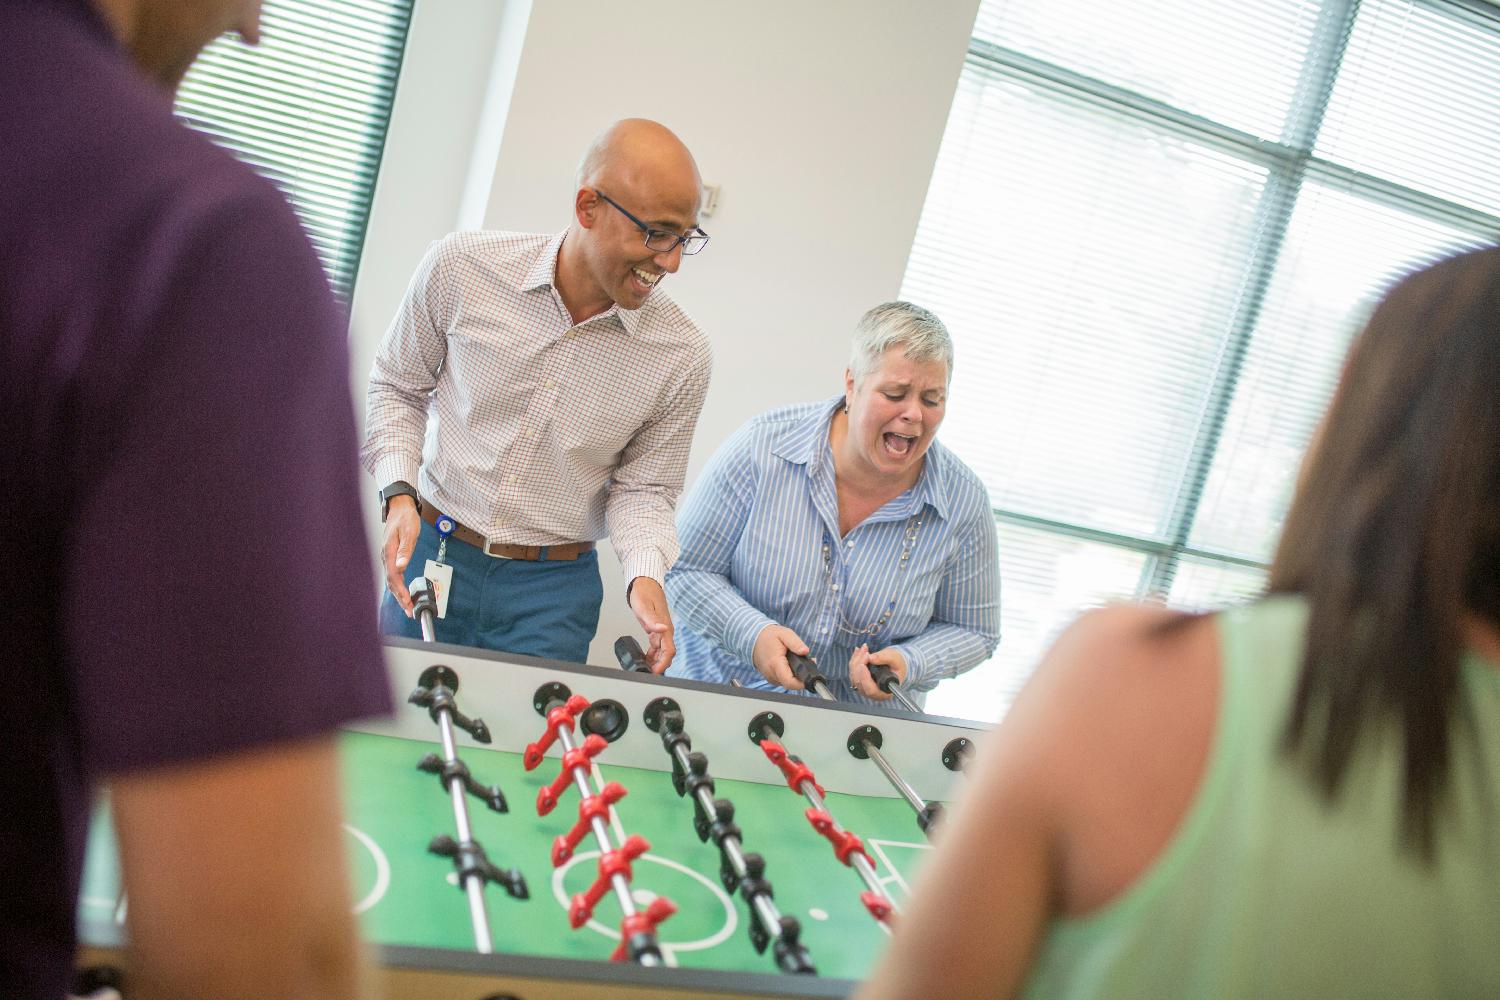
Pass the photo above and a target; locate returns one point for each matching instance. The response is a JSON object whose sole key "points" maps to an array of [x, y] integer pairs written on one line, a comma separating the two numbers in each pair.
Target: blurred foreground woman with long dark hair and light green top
{"points": [[1298, 798]]}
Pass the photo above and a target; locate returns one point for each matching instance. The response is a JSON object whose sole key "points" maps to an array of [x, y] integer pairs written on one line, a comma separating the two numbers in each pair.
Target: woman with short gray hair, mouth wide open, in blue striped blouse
{"points": [[842, 530]]}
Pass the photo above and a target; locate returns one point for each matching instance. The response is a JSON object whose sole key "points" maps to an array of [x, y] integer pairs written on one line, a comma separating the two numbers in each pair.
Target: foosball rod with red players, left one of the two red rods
{"points": [[559, 707]]}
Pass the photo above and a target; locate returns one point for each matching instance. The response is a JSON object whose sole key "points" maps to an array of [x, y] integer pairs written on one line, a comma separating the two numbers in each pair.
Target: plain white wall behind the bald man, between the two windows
{"points": [[820, 121]]}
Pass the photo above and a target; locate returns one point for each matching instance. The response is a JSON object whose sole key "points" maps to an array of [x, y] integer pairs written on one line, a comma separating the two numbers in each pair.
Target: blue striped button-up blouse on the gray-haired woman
{"points": [[761, 546]]}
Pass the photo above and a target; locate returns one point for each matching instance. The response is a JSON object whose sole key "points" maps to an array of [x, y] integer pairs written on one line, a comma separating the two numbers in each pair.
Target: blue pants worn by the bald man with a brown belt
{"points": [[542, 609]]}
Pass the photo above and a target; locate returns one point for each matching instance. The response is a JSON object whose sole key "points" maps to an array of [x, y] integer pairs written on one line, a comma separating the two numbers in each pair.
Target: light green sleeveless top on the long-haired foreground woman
{"points": [[1265, 891]]}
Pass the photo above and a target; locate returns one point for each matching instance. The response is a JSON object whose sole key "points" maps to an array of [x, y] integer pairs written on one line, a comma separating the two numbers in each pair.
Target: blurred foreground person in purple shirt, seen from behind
{"points": [[188, 602]]}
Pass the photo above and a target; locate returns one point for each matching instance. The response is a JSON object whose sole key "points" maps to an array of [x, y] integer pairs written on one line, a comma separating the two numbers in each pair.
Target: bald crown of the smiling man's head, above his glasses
{"points": [[640, 157]]}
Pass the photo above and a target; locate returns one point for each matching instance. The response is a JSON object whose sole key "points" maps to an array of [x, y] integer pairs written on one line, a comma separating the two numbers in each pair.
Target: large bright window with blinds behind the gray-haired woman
{"points": [[1153, 230]]}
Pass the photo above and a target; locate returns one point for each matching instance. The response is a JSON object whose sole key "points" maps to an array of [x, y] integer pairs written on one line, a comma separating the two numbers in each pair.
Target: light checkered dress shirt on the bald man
{"points": [[524, 427]]}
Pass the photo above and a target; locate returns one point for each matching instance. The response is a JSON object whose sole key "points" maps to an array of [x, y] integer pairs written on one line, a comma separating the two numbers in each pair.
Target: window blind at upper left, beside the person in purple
{"points": [[310, 109]]}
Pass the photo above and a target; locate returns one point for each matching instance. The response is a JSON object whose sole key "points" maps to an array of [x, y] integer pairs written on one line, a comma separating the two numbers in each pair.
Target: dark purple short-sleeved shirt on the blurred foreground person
{"points": [[185, 572]]}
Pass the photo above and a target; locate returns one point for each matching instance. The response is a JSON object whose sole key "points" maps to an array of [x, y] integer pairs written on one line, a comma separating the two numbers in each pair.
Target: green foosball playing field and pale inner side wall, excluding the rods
{"points": [[410, 899]]}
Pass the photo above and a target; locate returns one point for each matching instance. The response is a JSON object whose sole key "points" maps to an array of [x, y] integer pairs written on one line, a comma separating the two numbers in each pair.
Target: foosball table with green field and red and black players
{"points": [[527, 828]]}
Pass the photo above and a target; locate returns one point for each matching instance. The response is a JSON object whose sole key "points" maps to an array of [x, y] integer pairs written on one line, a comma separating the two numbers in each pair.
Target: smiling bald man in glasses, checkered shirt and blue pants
{"points": [[536, 394]]}
